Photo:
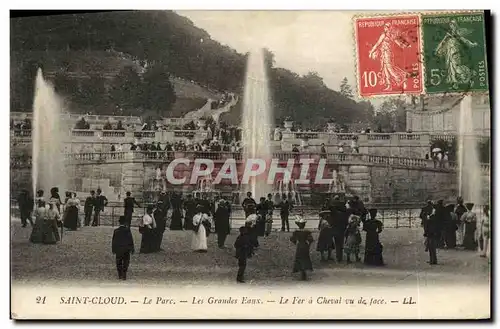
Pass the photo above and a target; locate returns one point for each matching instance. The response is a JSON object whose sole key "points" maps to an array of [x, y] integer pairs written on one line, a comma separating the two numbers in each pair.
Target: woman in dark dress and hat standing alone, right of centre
{"points": [[303, 239]]}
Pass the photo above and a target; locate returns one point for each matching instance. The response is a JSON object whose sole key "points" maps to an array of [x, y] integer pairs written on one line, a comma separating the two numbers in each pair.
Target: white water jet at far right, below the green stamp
{"points": [[469, 167]]}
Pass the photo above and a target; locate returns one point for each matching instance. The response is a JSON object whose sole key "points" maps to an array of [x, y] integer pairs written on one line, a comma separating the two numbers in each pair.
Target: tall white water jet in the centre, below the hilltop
{"points": [[257, 118]]}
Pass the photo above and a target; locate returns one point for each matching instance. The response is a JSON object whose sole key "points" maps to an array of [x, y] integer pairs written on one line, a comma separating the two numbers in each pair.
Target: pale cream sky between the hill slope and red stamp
{"points": [[302, 41]]}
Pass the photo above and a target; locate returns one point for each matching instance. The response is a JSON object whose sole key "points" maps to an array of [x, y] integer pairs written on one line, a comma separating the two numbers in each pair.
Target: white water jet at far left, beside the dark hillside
{"points": [[48, 162]]}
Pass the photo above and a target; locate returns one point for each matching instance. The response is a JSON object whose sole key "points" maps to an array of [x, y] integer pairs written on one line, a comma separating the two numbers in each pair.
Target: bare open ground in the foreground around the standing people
{"points": [[85, 255]]}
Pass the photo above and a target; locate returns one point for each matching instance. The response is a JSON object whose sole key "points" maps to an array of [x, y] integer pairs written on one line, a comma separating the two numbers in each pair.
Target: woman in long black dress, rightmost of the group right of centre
{"points": [[373, 248]]}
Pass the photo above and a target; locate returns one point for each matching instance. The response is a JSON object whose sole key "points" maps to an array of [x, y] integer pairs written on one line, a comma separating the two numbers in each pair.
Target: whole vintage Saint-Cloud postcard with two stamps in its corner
{"points": [[249, 165]]}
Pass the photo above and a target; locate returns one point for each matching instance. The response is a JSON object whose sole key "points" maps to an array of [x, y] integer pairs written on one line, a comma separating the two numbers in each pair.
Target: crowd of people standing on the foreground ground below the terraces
{"points": [[341, 223]]}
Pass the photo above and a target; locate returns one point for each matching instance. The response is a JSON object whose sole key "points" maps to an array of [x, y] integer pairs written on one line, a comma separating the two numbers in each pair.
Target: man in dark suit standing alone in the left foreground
{"points": [[122, 247]]}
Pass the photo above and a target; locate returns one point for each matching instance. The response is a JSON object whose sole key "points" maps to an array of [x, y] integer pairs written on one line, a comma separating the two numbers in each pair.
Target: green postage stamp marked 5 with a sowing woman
{"points": [[454, 52]]}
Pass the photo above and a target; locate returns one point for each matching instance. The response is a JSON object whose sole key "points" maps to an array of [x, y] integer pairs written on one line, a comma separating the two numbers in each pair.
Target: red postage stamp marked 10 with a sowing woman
{"points": [[388, 55]]}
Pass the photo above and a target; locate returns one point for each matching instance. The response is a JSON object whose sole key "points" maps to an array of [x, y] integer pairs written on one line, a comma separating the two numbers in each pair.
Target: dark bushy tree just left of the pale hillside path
{"points": [[158, 91]]}
